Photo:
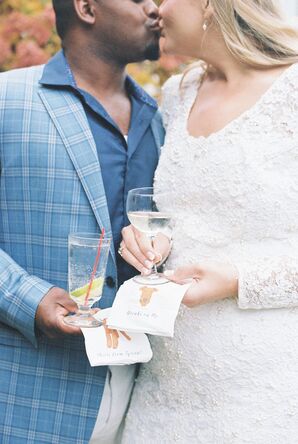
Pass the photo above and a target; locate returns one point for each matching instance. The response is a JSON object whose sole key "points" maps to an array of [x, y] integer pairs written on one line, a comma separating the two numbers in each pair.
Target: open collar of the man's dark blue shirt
{"points": [[58, 73]]}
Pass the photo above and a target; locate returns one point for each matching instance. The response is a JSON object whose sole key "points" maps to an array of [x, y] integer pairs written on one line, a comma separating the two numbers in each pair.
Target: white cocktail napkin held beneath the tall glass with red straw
{"points": [[106, 346]]}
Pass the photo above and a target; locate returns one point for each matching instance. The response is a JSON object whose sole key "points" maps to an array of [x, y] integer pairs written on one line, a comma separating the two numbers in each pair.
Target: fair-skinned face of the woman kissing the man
{"points": [[182, 26]]}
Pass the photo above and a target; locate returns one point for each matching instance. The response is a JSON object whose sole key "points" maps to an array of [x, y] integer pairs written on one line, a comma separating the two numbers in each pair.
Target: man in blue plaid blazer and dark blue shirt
{"points": [[75, 136]]}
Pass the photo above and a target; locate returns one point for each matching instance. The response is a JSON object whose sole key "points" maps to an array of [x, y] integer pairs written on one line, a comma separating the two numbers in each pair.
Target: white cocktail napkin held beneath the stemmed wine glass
{"points": [[148, 309]]}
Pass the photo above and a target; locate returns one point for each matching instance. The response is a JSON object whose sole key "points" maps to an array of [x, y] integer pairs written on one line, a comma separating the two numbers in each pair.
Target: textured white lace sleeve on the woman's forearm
{"points": [[268, 283]]}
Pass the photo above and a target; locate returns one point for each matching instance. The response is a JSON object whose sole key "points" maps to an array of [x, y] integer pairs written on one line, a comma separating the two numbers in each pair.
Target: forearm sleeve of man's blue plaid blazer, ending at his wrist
{"points": [[20, 295]]}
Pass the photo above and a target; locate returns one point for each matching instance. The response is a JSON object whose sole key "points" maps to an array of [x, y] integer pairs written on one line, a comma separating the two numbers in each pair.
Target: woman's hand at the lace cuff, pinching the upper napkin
{"points": [[212, 281]]}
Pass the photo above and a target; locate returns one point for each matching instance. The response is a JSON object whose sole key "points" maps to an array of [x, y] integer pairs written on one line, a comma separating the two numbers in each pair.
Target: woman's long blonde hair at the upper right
{"points": [[256, 32]]}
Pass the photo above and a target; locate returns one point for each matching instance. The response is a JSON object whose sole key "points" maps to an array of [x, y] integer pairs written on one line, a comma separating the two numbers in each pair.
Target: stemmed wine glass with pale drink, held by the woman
{"points": [[143, 212]]}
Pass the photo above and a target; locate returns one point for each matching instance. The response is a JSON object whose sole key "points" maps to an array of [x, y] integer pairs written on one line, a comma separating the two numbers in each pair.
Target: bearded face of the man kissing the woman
{"points": [[128, 30]]}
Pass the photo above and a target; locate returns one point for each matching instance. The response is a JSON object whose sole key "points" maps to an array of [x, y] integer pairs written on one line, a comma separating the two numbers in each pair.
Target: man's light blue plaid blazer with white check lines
{"points": [[50, 185]]}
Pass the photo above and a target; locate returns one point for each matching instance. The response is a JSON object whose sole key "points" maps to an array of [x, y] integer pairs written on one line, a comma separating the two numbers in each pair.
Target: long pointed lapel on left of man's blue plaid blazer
{"points": [[68, 116]]}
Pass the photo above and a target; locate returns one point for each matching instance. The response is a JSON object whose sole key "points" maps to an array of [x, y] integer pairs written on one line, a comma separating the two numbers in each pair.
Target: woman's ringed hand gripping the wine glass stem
{"points": [[138, 250]]}
